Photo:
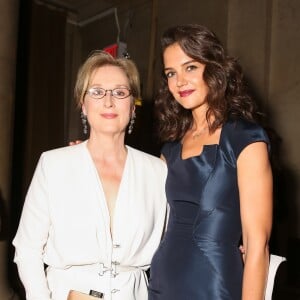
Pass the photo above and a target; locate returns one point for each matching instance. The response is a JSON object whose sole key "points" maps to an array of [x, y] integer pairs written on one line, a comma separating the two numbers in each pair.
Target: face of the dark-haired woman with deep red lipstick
{"points": [[185, 78]]}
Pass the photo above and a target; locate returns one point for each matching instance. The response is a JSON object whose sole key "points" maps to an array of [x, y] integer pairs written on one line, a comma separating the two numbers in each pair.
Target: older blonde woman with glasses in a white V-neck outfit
{"points": [[94, 212]]}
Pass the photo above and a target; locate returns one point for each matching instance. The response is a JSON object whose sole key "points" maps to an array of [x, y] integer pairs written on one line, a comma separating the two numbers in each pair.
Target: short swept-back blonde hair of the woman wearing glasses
{"points": [[99, 59]]}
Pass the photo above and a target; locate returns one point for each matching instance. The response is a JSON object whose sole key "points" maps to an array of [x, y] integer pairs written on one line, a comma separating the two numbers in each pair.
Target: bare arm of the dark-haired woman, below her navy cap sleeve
{"points": [[255, 188]]}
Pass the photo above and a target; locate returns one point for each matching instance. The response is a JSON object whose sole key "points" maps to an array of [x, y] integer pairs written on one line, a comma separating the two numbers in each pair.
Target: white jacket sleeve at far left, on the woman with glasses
{"points": [[32, 236]]}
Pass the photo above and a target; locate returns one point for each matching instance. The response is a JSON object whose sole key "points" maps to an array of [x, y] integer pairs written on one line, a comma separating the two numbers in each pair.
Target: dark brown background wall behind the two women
{"points": [[56, 36]]}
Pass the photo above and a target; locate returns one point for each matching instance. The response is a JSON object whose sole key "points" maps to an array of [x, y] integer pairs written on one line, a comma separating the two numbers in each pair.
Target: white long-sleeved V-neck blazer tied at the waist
{"points": [[65, 224]]}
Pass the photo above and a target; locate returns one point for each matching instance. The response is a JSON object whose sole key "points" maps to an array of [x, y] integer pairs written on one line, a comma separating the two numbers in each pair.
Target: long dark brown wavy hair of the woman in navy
{"points": [[227, 91]]}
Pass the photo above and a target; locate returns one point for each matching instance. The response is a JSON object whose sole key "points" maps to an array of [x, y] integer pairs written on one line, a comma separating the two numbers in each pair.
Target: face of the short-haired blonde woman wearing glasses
{"points": [[108, 114]]}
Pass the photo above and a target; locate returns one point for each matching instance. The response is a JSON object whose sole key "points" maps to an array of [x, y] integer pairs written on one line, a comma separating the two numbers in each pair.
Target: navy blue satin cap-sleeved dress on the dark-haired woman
{"points": [[199, 258]]}
